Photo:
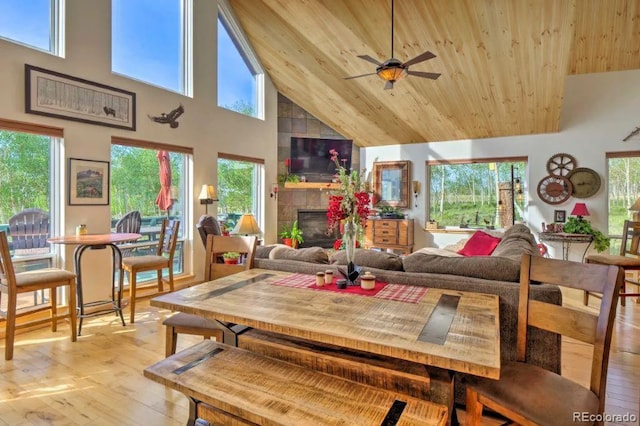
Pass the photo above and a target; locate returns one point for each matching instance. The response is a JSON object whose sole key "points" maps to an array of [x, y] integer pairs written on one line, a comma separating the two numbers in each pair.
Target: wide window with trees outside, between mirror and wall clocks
{"points": [[480, 194]]}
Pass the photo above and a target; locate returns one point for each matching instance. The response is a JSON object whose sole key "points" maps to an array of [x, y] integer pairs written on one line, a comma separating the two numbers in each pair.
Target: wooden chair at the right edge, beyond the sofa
{"points": [[628, 259]]}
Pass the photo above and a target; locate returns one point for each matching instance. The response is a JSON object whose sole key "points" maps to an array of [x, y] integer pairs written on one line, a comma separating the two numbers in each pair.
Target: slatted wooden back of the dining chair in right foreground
{"points": [[595, 329]]}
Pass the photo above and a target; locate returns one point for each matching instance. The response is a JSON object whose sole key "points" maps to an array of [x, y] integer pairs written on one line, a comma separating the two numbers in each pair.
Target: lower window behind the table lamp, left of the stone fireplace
{"points": [[239, 189]]}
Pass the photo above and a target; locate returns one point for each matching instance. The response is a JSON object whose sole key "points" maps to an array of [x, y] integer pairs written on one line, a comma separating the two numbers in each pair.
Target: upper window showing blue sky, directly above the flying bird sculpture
{"points": [[151, 41]]}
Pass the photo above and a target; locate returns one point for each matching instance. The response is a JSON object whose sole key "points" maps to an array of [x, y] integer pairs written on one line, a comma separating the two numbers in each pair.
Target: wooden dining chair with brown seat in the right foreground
{"points": [[527, 394]]}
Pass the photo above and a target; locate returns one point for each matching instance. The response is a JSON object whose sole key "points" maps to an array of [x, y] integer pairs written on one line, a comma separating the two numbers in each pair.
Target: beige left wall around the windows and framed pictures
{"points": [[204, 126]]}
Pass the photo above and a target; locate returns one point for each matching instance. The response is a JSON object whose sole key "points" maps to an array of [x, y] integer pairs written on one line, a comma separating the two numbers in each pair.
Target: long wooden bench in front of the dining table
{"points": [[230, 385]]}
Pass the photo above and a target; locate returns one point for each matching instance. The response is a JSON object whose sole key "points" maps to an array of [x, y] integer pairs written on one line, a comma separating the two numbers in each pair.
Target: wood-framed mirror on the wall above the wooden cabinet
{"points": [[391, 183]]}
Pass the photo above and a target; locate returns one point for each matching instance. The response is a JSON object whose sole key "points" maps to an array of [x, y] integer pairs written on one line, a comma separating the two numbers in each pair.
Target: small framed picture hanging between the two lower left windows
{"points": [[88, 182]]}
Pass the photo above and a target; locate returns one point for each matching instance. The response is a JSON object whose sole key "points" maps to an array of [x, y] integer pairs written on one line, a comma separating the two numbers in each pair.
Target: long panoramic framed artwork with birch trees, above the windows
{"points": [[53, 94]]}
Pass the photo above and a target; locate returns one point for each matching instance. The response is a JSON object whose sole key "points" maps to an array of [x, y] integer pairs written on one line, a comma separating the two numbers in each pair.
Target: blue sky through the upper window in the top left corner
{"points": [[26, 21]]}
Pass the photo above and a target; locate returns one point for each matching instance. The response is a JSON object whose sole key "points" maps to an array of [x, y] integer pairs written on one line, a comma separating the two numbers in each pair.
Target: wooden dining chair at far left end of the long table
{"points": [[182, 323]]}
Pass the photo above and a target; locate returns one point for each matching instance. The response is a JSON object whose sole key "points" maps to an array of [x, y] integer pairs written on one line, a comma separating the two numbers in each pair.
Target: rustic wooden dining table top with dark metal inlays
{"points": [[452, 330]]}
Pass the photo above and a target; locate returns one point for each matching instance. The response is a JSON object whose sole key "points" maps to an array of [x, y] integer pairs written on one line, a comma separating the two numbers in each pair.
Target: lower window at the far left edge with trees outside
{"points": [[29, 187]]}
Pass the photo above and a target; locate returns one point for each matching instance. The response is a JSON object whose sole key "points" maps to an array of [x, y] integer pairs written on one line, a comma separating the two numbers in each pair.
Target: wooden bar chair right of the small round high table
{"points": [[163, 259]]}
